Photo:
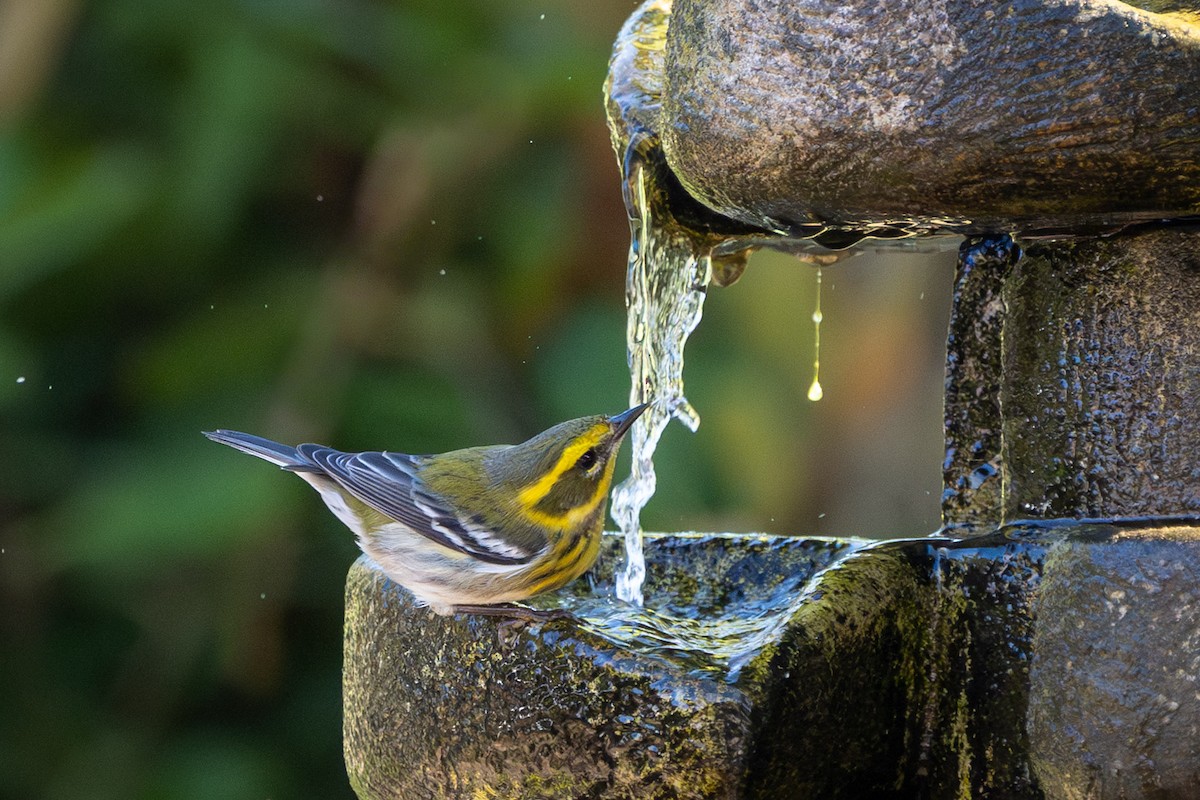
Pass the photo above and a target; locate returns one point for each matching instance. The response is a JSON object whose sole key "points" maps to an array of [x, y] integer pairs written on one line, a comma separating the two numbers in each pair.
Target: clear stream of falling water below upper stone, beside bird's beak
{"points": [[665, 291]]}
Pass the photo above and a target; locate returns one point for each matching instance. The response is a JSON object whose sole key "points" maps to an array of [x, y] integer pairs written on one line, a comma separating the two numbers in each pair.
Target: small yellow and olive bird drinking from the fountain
{"points": [[469, 530]]}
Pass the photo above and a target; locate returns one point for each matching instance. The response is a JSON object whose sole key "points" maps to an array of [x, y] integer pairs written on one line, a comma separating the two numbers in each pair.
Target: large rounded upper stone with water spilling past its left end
{"points": [[959, 115]]}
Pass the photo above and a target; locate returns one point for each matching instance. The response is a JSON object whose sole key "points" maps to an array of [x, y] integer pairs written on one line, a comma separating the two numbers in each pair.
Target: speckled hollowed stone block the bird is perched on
{"points": [[475, 707]]}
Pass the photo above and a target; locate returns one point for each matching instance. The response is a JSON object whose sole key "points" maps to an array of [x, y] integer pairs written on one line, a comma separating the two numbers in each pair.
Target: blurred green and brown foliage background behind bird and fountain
{"points": [[370, 224]]}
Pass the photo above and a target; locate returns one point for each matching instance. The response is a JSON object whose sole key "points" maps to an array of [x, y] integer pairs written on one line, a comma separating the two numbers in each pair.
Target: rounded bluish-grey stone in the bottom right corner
{"points": [[1115, 678]]}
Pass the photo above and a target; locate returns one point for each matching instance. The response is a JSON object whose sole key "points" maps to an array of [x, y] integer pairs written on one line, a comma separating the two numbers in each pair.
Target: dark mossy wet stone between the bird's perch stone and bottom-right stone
{"points": [[908, 679]]}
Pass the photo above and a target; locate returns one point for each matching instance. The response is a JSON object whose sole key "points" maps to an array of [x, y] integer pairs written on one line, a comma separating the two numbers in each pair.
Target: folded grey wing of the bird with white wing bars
{"points": [[391, 484]]}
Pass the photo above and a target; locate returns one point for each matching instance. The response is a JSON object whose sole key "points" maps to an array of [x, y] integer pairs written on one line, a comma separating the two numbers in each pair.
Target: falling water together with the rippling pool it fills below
{"points": [[677, 251]]}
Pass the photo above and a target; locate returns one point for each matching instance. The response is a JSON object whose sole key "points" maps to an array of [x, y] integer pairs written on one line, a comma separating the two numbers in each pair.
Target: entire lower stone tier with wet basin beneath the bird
{"points": [[771, 667]]}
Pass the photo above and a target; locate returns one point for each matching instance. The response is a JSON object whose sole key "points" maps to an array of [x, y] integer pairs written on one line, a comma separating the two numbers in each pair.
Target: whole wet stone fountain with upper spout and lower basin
{"points": [[1046, 643]]}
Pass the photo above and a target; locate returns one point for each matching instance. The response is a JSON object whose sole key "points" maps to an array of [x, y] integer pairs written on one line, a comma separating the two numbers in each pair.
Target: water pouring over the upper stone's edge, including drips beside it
{"points": [[677, 250]]}
